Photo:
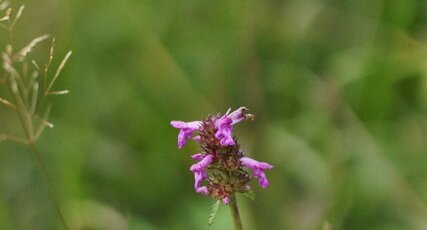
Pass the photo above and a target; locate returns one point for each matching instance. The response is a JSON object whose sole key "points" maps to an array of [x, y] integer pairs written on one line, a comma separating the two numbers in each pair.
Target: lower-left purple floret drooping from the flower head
{"points": [[199, 170]]}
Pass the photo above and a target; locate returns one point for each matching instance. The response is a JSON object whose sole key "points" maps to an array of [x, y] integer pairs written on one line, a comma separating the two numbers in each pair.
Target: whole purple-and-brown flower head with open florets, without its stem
{"points": [[220, 170]]}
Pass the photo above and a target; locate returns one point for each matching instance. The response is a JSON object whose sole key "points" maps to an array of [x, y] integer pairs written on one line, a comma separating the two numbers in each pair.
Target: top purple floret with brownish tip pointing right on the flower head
{"points": [[225, 124]]}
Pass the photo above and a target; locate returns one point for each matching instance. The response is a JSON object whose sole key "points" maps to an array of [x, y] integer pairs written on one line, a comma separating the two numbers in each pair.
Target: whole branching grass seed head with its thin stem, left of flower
{"points": [[25, 92]]}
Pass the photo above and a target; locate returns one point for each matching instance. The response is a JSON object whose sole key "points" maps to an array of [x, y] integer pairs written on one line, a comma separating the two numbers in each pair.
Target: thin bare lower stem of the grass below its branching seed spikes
{"points": [[46, 176]]}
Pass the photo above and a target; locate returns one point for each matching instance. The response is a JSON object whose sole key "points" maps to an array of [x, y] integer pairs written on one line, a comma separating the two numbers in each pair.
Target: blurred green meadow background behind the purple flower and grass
{"points": [[339, 89]]}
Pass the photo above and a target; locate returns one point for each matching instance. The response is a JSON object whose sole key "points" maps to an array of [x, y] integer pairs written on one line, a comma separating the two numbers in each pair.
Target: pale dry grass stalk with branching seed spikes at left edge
{"points": [[25, 92]]}
